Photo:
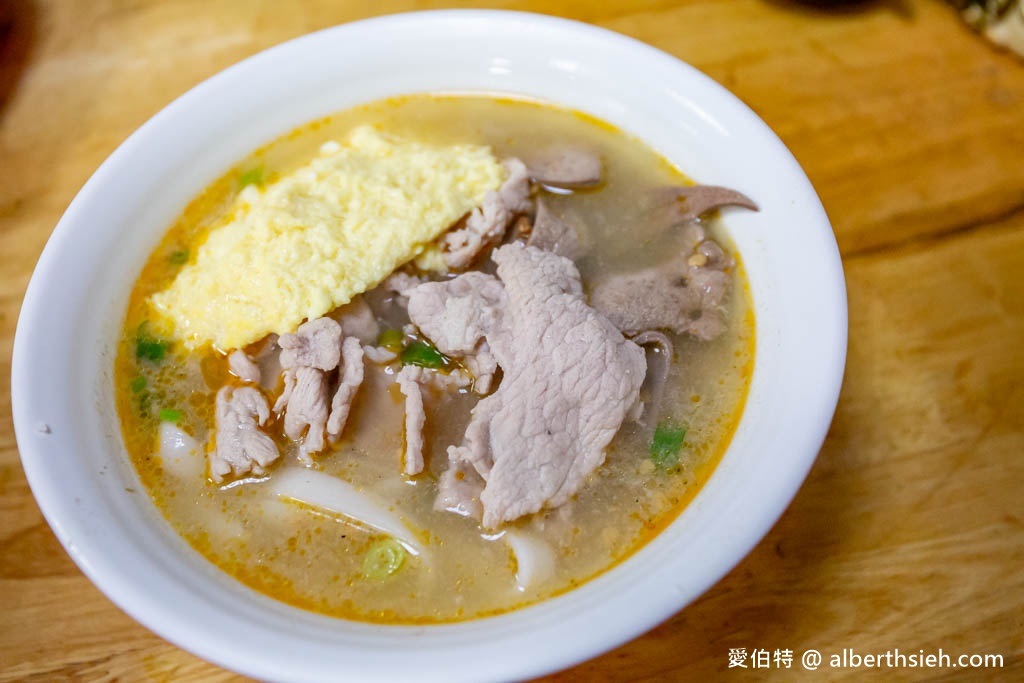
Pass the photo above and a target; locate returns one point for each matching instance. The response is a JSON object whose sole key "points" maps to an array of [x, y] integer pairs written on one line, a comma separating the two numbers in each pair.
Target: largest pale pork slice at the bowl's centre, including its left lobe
{"points": [[570, 378]]}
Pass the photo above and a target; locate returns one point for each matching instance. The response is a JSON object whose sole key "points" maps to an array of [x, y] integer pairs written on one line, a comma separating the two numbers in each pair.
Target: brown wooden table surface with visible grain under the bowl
{"points": [[909, 533]]}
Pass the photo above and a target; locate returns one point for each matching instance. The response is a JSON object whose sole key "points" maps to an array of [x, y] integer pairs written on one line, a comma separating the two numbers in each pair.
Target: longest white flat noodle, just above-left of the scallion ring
{"points": [[339, 497]]}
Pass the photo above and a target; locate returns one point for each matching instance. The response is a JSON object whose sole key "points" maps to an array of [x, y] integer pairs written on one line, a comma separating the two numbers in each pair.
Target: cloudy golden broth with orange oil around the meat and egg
{"points": [[325, 563]]}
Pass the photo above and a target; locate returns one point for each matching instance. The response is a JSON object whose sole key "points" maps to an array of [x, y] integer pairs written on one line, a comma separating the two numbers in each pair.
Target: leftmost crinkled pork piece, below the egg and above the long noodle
{"points": [[240, 447]]}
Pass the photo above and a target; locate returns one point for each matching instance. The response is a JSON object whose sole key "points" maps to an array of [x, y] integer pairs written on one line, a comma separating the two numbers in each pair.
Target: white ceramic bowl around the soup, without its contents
{"points": [[63, 391]]}
